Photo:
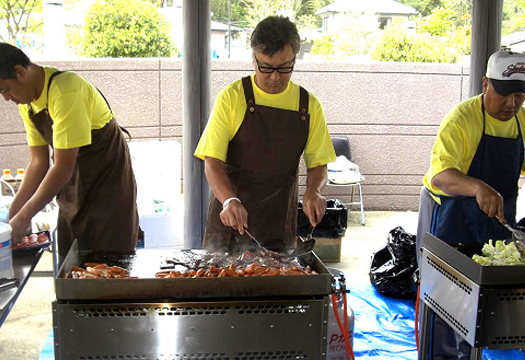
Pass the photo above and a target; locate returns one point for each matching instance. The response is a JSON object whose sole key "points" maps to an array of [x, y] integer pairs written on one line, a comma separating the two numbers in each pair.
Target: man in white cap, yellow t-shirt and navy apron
{"points": [[472, 182]]}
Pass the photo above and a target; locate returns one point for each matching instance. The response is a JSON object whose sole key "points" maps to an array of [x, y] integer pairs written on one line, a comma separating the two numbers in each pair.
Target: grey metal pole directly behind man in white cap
{"points": [[486, 39]]}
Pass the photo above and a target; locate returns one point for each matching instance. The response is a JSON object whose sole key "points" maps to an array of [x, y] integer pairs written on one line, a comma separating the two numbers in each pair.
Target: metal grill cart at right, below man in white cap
{"points": [[485, 304]]}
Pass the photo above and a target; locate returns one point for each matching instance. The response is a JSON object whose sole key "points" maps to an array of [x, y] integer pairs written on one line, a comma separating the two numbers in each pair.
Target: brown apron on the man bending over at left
{"points": [[98, 205]]}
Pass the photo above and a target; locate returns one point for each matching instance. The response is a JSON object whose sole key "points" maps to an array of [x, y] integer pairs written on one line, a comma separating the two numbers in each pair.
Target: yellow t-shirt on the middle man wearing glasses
{"points": [[228, 113]]}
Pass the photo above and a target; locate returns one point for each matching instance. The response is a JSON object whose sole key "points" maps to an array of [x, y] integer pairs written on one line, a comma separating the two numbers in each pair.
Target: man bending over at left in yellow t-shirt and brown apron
{"points": [[91, 175]]}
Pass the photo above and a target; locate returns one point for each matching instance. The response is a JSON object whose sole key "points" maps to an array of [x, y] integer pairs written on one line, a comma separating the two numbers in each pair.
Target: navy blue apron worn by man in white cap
{"points": [[459, 219]]}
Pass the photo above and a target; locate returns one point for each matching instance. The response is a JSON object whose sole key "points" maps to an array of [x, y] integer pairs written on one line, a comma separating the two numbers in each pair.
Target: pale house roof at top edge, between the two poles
{"points": [[390, 7]]}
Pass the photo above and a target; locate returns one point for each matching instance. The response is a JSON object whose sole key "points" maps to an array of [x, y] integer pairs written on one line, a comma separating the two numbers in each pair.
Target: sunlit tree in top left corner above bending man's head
{"points": [[16, 16]]}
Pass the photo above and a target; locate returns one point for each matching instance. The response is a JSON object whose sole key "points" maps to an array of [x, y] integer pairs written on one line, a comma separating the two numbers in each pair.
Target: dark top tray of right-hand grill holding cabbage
{"points": [[459, 256]]}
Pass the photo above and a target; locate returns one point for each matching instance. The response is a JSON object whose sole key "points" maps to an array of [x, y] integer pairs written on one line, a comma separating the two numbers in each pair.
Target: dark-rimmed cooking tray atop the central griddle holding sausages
{"points": [[146, 262]]}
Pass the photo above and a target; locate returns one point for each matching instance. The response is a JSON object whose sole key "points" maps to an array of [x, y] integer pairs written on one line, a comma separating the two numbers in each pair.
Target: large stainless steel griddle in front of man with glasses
{"points": [[192, 318]]}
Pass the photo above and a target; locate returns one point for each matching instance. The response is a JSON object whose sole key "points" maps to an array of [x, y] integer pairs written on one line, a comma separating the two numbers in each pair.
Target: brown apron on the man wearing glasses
{"points": [[262, 166]]}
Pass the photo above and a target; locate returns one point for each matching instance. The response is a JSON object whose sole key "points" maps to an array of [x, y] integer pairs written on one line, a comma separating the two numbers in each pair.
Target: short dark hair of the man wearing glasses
{"points": [[272, 34]]}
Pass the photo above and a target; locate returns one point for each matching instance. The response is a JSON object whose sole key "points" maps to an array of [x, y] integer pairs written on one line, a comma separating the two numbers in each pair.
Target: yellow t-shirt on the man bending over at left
{"points": [[75, 106]]}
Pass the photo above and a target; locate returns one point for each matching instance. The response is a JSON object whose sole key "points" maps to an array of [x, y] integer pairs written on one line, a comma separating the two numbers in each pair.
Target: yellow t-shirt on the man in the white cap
{"points": [[459, 135]]}
